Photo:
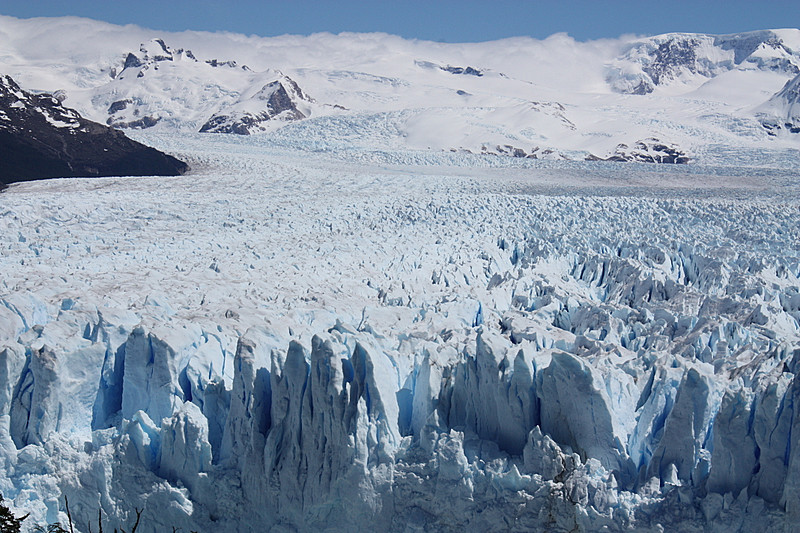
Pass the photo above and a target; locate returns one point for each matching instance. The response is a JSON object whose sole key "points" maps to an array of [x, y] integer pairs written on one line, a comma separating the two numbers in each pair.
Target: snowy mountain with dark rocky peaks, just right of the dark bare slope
{"points": [[160, 83]]}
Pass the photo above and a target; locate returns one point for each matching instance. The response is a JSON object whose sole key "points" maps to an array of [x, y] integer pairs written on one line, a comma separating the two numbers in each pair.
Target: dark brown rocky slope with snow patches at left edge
{"points": [[40, 138]]}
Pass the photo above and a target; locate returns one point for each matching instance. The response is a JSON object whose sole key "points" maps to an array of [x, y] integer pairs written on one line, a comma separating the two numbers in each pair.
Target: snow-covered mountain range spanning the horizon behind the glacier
{"points": [[557, 98]]}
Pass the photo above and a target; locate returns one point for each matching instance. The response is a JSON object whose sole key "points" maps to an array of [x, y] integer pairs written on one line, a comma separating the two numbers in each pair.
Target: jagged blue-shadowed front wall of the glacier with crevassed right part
{"points": [[560, 410]]}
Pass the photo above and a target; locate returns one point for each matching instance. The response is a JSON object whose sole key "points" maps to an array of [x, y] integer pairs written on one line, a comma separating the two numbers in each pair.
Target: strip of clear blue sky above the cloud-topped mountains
{"points": [[437, 20]]}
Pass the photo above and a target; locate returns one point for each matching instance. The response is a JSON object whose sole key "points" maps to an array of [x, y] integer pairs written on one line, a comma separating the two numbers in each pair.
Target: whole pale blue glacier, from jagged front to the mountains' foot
{"points": [[288, 341]]}
